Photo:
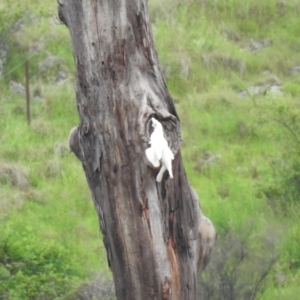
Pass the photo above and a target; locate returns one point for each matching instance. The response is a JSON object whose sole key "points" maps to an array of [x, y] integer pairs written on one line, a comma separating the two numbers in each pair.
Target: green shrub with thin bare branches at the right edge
{"points": [[284, 189]]}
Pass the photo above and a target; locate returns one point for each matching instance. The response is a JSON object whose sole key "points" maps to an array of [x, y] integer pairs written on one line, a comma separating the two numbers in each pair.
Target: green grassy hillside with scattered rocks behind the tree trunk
{"points": [[233, 68]]}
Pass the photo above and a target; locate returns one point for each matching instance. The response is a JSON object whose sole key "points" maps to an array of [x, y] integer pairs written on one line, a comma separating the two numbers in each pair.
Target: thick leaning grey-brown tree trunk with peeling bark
{"points": [[156, 238]]}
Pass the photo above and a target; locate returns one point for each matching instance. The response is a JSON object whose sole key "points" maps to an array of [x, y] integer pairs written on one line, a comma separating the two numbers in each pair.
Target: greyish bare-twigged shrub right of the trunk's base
{"points": [[239, 266]]}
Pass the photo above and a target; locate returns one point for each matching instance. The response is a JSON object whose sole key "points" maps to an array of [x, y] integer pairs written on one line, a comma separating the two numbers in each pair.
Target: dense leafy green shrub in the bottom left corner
{"points": [[31, 269]]}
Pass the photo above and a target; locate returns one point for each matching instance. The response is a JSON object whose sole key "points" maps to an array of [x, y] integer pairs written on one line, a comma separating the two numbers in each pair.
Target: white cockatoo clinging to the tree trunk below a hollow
{"points": [[159, 151]]}
